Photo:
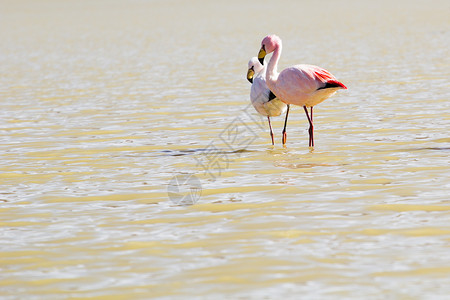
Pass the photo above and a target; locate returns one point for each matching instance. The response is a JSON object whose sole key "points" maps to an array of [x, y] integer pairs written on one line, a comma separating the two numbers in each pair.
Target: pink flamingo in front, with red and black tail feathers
{"points": [[303, 85]]}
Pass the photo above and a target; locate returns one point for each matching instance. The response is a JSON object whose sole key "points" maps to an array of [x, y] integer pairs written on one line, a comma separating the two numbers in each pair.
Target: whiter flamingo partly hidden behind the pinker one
{"points": [[263, 100]]}
